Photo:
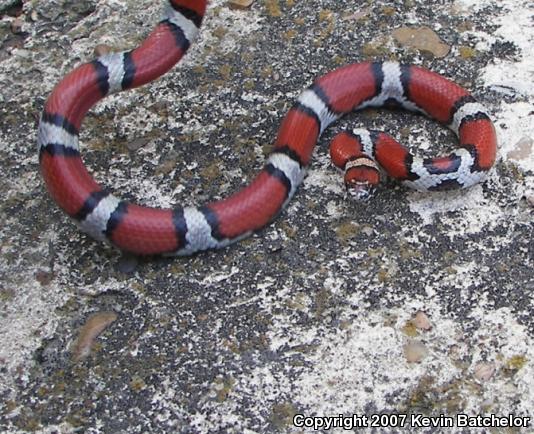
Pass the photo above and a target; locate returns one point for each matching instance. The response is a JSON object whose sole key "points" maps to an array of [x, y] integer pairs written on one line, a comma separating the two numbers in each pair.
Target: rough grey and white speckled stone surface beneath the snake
{"points": [[316, 314]]}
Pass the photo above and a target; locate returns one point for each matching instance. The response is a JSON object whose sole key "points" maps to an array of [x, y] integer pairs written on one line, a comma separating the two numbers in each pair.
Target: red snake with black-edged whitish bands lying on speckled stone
{"points": [[362, 154]]}
